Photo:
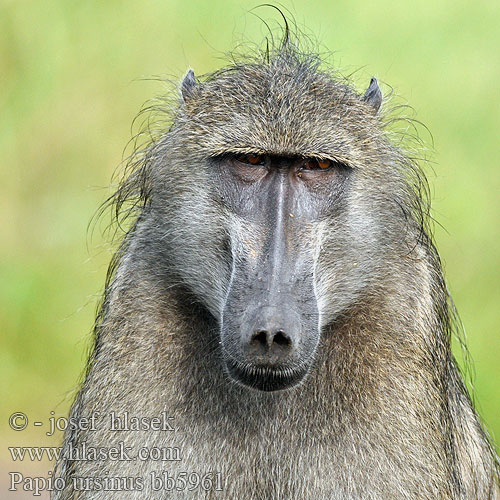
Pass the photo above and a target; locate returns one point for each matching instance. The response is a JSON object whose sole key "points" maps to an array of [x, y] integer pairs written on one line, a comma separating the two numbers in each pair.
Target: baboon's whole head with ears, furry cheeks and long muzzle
{"points": [[276, 194]]}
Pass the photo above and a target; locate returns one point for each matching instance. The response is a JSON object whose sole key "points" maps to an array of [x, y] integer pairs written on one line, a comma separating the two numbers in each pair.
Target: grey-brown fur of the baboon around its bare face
{"points": [[384, 413]]}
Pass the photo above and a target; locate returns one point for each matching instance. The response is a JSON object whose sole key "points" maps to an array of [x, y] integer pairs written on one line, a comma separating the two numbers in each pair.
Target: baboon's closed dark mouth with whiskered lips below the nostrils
{"points": [[263, 377]]}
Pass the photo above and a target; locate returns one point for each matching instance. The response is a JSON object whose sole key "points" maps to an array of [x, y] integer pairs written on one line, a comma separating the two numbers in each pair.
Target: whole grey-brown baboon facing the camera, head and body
{"points": [[275, 324]]}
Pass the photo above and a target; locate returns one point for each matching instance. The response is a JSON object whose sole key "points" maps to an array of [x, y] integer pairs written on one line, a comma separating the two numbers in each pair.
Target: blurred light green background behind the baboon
{"points": [[72, 78]]}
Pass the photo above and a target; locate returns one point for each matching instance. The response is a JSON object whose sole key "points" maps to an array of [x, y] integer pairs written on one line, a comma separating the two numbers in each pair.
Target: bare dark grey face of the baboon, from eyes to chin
{"points": [[270, 317]]}
